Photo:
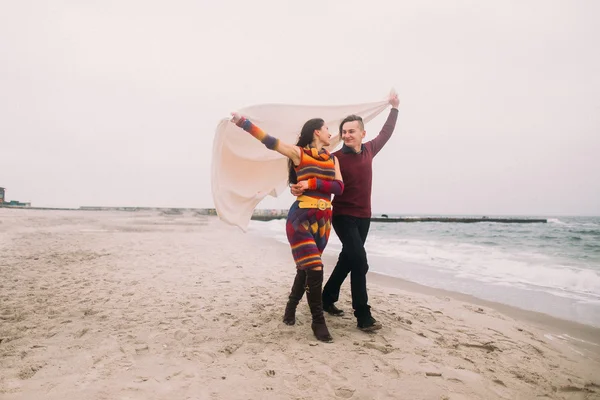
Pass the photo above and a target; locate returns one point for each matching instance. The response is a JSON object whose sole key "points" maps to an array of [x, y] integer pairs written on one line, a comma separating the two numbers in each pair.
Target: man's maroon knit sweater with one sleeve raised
{"points": [[357, 173]]}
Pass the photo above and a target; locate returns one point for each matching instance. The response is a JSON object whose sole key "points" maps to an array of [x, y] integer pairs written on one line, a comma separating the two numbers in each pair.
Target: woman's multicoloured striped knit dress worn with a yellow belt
{"points": [[308, 229]]}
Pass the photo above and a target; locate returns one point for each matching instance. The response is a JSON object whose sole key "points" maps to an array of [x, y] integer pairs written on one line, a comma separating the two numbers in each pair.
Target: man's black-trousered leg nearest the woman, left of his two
{"points": [[348, 233]]}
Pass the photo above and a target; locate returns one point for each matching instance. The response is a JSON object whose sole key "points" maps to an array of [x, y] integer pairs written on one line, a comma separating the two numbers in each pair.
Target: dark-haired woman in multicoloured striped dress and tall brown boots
{"points": [[309, 218]]}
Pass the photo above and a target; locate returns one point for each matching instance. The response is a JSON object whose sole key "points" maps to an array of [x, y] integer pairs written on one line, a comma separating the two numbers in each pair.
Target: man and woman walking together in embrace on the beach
{"points": [[314, 175]]}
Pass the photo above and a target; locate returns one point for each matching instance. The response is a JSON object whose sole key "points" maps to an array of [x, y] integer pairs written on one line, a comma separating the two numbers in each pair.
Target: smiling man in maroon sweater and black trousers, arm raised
{"points": [[352, 214]]}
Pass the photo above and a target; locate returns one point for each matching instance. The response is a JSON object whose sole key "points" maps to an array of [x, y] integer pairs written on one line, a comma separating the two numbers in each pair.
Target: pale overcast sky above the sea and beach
{"points": [[115, 103]]}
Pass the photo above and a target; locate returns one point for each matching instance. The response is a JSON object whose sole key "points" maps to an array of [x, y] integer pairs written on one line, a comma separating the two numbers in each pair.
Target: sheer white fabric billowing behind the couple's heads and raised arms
{"points": [[244, 171]]}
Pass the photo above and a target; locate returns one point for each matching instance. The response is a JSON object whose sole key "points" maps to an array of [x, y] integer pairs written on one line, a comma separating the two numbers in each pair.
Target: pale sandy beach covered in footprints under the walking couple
{"points": [[151, 305]]}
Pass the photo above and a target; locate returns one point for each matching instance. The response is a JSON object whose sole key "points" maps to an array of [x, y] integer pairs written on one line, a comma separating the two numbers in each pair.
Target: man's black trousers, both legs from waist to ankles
{"points": [[352, 232]]}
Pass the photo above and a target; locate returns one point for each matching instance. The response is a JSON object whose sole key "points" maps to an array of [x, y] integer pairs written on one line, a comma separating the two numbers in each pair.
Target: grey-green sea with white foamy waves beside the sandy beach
{"points": [[553, 267]]}
